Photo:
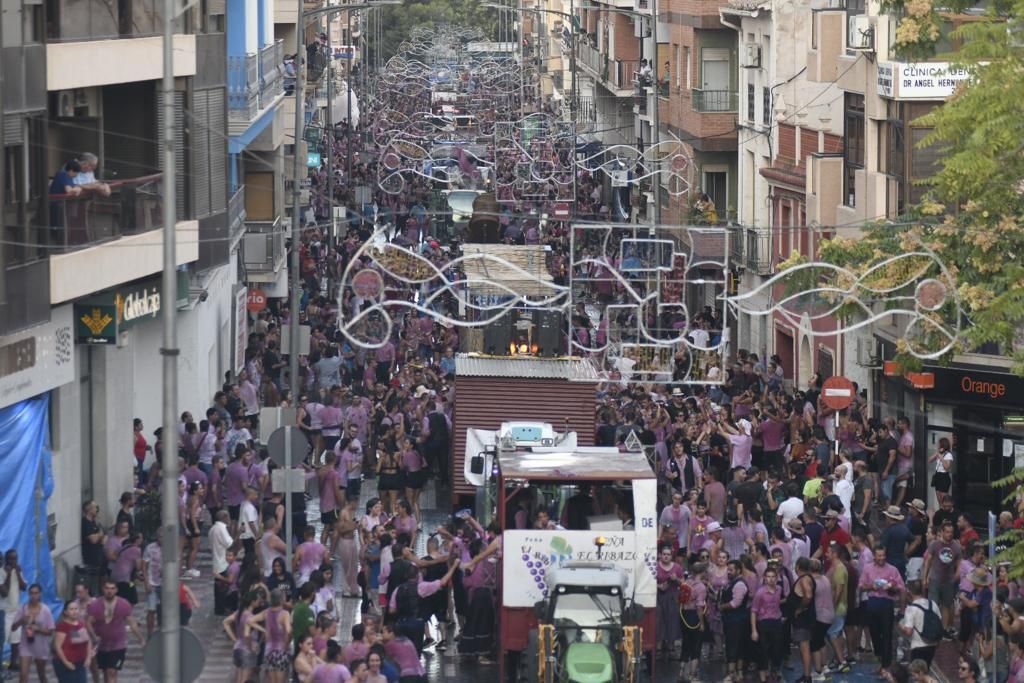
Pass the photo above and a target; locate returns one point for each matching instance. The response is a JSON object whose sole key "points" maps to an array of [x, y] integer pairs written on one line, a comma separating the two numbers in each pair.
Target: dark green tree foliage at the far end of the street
{"points": [[399, 21]]}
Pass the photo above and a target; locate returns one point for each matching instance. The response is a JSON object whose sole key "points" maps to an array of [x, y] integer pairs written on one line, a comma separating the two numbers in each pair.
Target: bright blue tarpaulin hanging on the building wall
{"points": [[27, 472]]}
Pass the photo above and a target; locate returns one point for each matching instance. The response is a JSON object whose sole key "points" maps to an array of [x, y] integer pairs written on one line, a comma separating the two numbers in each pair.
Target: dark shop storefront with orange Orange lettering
{"points": [[982, 412]]}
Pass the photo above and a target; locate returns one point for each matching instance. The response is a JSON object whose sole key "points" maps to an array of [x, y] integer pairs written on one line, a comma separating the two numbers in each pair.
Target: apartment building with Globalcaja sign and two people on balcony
{"points": [[81, 273]]}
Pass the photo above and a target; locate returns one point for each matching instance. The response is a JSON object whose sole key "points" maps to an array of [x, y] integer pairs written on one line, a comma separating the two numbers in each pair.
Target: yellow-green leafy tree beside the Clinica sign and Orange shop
{"points": [[973, 216]]}
